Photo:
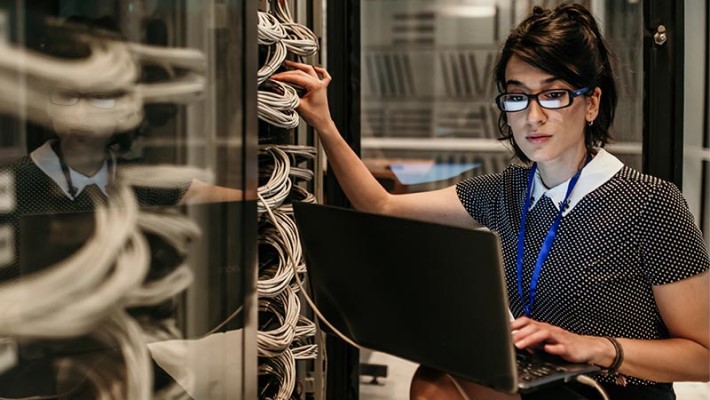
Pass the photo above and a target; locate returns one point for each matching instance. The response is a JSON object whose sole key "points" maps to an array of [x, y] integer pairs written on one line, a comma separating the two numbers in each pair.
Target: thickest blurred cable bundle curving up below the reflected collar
{"points": [[75, 298]]}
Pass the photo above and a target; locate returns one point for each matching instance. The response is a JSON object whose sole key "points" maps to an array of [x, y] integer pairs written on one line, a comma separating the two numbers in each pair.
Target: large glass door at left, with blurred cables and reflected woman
{"points": [[124, 268]]}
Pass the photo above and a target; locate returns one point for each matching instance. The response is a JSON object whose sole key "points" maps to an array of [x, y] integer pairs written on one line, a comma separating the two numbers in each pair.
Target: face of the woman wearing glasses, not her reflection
{"points": [[546, 135]]}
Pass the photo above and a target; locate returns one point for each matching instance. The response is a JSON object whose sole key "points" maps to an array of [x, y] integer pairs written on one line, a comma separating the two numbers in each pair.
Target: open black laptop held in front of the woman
{"points": [[429, 293]]}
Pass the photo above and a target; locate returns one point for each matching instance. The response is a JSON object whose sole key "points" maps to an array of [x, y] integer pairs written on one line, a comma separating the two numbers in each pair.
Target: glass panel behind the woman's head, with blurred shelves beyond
{"points": [[428, 88]]}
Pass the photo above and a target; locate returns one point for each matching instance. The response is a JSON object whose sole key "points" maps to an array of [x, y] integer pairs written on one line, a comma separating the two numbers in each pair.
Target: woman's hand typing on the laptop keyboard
{"points": [[531, 334]]}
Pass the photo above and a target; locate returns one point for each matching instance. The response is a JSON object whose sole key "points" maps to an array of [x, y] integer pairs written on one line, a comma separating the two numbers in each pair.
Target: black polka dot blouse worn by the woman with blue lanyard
{"points": [[622, 238]]}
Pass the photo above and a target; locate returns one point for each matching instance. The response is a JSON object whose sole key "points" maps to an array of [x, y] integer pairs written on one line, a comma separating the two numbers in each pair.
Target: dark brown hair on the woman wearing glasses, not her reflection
{"points": [[566, 43]]}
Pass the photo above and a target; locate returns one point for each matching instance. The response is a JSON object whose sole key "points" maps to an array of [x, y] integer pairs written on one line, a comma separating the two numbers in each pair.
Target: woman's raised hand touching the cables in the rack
{"points": [[315, 80]]}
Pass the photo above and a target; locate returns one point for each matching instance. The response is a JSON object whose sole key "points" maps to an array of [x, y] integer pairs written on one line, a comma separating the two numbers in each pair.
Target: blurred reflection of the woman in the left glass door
{"points": [[78, 166]]}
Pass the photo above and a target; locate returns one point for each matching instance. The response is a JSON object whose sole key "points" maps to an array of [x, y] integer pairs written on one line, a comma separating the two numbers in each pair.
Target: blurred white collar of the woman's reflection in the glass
{"points": [[47, 160]]}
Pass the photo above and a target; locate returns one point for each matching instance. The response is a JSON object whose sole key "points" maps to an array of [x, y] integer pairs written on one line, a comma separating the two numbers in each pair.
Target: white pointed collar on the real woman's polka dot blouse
{"points": [[599, 170]]}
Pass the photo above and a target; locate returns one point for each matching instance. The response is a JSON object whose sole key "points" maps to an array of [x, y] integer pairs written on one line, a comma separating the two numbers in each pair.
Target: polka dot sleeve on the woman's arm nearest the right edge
{"points": [[671, 245]]}
